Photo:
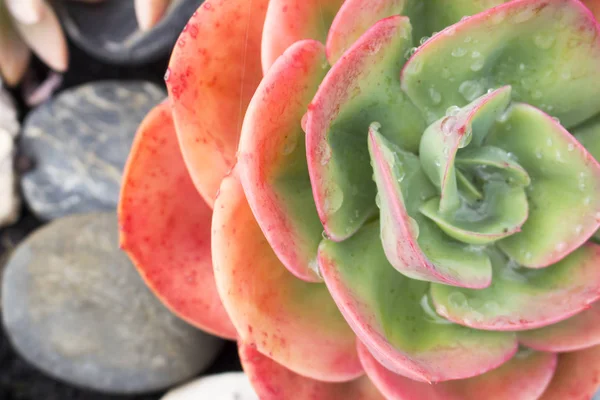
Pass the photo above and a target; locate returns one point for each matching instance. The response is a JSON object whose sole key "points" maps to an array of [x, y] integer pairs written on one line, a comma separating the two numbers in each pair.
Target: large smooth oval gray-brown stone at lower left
{"points": [[75, 307]]}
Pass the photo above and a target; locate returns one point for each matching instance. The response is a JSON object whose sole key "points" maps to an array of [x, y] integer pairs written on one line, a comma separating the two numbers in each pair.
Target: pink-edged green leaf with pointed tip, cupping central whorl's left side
{"points": [[413, 244]]}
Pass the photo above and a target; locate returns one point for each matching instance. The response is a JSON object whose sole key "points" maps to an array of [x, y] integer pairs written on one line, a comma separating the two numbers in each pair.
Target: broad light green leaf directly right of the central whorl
{"points": [[564, 194]]}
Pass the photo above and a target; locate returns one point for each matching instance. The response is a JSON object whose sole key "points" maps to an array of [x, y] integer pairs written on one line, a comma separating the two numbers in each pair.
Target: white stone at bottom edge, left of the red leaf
{"points": [[228, 386]]}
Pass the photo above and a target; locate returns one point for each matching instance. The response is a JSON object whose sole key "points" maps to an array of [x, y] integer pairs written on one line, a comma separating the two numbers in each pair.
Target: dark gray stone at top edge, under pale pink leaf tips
{"points": [[109, 30]]}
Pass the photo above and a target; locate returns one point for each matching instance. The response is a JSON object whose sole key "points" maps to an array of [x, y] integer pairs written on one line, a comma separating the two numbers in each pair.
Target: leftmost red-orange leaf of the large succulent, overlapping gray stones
{"points": [[171, 253]]}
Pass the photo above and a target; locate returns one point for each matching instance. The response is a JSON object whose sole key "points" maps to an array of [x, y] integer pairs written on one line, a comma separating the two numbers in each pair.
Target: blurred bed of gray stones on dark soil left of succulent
{"points": [[78, 322]]}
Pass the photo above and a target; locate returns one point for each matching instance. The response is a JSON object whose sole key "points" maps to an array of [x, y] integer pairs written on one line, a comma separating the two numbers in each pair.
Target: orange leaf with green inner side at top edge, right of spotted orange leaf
{"points": [[289, 21]]}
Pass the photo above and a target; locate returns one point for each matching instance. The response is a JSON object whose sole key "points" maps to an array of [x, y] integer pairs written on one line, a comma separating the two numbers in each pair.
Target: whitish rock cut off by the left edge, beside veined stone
{"points": [[9, 128]]}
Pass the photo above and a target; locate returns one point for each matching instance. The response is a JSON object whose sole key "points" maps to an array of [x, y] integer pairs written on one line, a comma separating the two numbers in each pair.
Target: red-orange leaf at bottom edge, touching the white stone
{"points": [[272, 381]]}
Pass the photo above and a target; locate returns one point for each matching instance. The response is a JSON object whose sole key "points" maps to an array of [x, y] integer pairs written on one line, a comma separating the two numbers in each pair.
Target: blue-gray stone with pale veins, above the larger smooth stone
{"points": [[79, 143]]}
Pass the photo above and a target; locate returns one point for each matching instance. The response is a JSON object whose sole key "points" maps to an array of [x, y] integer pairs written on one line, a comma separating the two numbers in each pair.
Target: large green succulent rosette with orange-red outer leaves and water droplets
{"points": [[368, 213]]}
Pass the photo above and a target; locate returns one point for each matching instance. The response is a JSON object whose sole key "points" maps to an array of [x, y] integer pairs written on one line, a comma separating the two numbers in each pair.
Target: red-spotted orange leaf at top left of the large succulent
{"points": [[213, 73]]}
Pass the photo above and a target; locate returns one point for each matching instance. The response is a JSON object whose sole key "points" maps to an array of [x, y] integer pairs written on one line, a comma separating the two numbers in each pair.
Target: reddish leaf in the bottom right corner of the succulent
{"points": [[577, 376]]}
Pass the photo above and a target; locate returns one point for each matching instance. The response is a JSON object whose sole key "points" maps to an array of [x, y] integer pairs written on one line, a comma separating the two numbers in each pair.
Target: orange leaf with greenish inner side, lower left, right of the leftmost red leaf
{"points": [[293, 322]]}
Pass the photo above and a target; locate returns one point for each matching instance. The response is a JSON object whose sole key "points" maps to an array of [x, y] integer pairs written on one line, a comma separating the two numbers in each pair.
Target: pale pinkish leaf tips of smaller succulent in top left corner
{"points": [[32, 25]]}
